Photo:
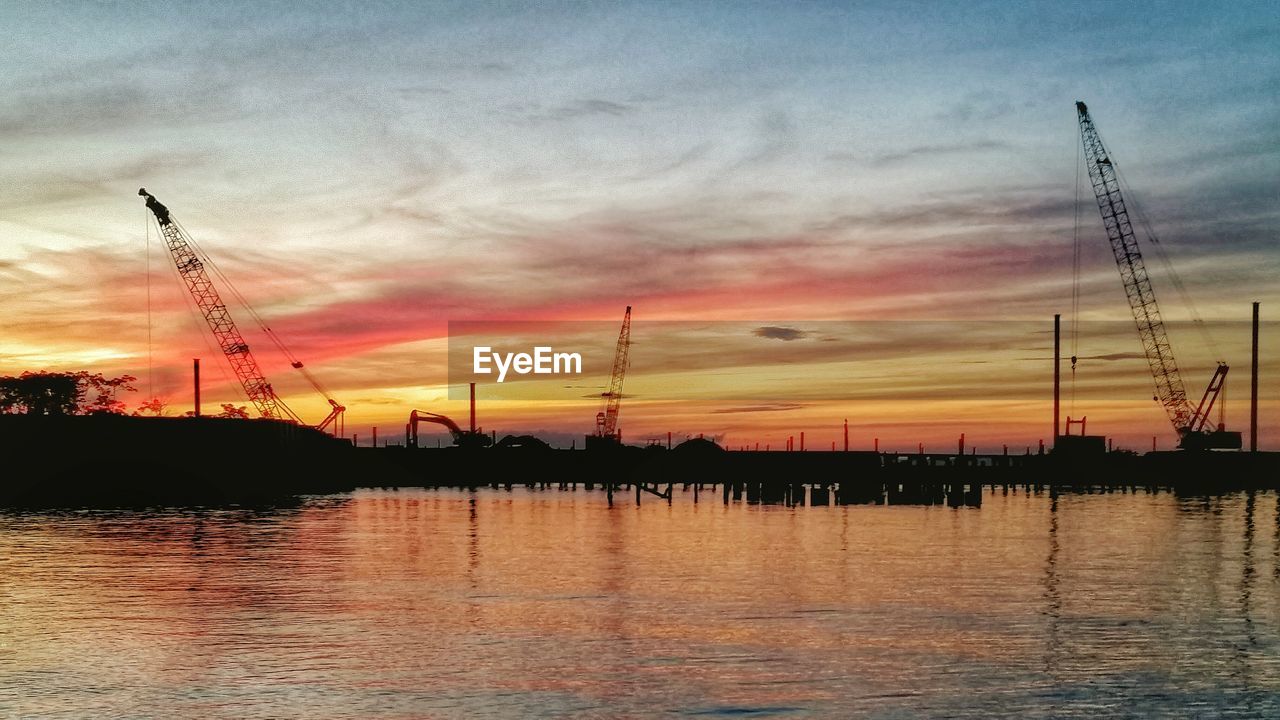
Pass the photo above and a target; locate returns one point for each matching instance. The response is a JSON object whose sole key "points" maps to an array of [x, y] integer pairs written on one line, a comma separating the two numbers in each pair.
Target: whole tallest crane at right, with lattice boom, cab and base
{"points": [[1188, 421]]}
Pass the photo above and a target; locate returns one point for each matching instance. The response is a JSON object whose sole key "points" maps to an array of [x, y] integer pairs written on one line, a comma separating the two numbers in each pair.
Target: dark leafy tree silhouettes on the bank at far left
{"points": [[62, 394]]}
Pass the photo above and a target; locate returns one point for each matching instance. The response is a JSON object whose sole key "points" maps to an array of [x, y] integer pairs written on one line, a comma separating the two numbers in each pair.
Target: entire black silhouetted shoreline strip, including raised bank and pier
{"points": [[112, 461]]}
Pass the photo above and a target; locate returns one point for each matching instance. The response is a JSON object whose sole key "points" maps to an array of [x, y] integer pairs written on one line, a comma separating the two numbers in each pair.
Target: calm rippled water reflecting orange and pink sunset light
{"points": [[422, 604]]}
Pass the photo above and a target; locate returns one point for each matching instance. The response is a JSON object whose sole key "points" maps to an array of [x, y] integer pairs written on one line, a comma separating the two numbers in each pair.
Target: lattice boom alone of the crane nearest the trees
{"points": [[216, 313]]}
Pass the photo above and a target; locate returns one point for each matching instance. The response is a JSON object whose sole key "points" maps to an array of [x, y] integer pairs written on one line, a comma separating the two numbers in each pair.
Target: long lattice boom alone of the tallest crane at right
{"points": [[1137, 284]]}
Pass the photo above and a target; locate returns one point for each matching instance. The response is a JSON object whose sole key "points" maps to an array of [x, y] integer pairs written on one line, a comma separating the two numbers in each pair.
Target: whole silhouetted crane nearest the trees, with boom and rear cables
{"points": [[191, 263]]}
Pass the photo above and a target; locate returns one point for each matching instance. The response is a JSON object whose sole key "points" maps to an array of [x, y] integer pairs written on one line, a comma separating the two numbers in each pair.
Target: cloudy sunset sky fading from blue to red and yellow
{"points": [[367, 174]]}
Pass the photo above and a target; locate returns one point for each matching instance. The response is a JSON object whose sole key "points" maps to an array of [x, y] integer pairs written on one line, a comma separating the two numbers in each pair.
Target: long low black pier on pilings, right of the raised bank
{"points": [[825, 479]]}
